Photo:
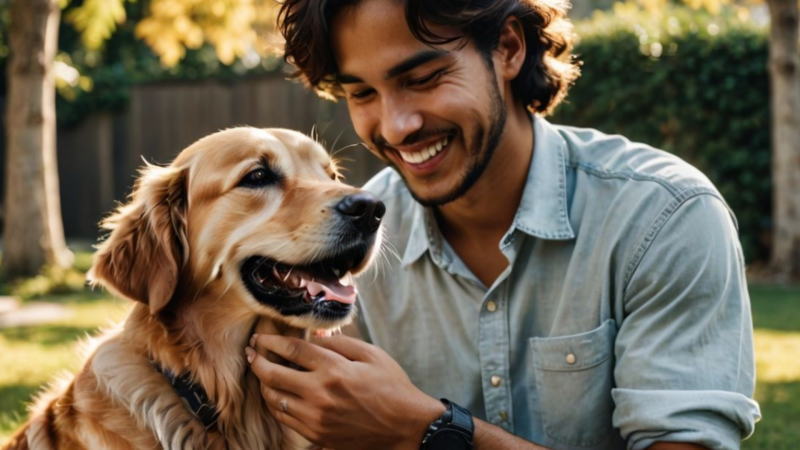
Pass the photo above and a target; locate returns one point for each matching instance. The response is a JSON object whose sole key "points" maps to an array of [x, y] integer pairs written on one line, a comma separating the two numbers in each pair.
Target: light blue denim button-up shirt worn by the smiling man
{"points": [[622, 318]]}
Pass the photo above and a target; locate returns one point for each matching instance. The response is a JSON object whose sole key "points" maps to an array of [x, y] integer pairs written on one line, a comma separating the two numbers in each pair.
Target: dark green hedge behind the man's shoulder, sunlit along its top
{"points": [[692, 84]]}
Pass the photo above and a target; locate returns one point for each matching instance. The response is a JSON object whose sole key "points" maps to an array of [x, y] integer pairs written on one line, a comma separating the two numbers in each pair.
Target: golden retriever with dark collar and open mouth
{"points": [[246, 230]]}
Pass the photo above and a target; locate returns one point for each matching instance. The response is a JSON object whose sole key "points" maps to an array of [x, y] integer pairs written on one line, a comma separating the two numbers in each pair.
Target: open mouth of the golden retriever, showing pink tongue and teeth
{"points": [[323, 287]]}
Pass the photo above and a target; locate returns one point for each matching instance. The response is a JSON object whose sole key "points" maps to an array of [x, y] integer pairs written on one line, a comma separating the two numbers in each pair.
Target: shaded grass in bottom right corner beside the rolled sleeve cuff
{"points": [[780, 409]]}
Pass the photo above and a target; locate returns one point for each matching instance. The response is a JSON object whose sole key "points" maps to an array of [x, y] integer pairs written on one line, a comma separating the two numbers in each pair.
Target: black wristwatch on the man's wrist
{"points": [[452, 431]]}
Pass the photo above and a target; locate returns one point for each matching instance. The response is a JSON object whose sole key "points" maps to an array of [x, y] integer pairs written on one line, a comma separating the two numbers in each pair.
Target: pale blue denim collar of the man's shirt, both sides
{"points": [[543, 209]]}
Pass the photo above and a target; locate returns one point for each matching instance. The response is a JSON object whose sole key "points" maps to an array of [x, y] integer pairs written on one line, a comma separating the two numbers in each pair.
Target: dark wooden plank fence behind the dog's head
{"points": [[98, 159]]}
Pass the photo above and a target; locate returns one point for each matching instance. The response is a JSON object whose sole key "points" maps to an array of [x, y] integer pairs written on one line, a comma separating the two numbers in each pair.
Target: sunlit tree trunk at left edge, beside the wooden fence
{"points": [[33, 230]]}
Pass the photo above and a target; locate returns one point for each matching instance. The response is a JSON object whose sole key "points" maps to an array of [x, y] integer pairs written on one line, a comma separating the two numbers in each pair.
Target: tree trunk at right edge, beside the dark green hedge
{"points": [[784, 64]]}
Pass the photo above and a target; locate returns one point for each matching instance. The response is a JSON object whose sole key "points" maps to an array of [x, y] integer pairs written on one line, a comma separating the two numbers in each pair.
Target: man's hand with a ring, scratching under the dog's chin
{"points": [[353, 395]]}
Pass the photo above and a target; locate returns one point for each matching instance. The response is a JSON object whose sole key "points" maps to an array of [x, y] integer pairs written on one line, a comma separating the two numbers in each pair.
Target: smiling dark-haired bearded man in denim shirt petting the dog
{"points": [[556, 285]]}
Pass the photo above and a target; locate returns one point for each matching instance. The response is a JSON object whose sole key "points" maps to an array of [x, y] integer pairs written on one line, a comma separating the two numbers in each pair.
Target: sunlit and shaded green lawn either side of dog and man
{"points": [[30, 355]]}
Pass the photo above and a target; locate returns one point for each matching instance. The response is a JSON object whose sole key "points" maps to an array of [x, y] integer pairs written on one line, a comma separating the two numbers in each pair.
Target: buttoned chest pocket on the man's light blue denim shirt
{"points": [[573, 377]]}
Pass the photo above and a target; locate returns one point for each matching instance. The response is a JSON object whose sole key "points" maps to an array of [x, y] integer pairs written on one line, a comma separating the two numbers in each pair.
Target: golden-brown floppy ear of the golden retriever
{"points": [[143, 255]]}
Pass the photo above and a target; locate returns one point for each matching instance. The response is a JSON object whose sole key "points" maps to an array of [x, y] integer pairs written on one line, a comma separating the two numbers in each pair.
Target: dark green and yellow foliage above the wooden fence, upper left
{"points": [[123, 59]]}
